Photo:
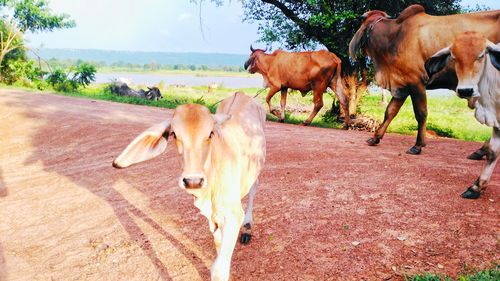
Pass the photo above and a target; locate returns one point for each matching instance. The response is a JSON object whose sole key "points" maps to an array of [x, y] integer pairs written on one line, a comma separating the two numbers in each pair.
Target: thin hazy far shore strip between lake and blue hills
{"points": [[152, 66]]}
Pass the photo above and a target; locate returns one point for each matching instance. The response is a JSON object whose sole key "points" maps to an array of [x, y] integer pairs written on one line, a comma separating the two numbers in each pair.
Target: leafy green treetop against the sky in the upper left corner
{"points": [[19, 16]]}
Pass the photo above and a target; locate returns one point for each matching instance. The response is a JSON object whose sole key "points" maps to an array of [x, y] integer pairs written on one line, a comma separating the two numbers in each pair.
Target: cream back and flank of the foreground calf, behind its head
{"points": [[244, 132]]}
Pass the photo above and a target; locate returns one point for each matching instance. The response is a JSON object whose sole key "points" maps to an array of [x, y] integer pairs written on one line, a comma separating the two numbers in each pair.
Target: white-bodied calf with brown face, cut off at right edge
{"points": [[477, 64]]}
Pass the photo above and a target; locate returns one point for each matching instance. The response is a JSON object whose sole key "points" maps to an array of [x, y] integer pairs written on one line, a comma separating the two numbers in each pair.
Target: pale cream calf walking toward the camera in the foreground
{"points": [[222, 156]]}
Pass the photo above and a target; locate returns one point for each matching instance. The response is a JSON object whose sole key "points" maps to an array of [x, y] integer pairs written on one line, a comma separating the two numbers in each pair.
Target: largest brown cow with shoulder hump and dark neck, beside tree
{"points": [[399, 48]]}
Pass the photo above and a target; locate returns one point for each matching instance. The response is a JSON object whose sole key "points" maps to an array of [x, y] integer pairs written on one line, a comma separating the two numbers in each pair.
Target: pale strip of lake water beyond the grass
{"points": [[151, 79]]}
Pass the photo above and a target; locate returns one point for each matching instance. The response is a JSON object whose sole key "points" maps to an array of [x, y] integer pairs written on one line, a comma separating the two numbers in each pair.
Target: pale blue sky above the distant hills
{"points": [[157, 25]]}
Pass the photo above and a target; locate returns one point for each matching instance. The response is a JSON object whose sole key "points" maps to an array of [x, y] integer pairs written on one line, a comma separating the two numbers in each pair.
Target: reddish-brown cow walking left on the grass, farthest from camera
{"points": [[303, 71]]}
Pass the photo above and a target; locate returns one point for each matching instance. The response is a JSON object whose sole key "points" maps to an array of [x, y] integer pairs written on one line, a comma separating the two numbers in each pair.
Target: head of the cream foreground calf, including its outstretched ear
{"points": [[193, 130]]}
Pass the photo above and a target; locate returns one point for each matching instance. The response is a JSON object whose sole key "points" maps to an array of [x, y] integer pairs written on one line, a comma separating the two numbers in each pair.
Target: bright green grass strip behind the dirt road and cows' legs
{"points": [[448, 116]]}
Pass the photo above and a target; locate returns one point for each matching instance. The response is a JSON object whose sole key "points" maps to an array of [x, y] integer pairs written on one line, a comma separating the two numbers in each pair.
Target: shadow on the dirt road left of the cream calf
{"points": [[82, 150]]}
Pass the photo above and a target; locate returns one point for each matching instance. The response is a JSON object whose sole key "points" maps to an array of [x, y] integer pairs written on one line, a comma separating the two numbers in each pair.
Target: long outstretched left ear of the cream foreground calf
{"points": [[147, 145]]}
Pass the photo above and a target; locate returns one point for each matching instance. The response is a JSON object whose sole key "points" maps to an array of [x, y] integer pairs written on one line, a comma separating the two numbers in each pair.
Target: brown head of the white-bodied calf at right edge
{"points": [[470, 52]]}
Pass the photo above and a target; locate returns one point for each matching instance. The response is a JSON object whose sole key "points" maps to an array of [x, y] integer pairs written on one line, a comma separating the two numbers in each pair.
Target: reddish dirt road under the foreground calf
{"points": [[329, 206]]}
